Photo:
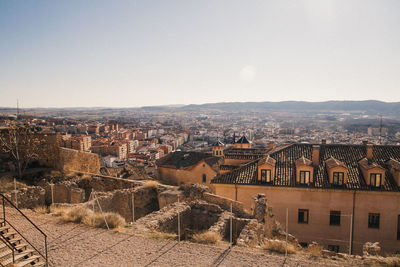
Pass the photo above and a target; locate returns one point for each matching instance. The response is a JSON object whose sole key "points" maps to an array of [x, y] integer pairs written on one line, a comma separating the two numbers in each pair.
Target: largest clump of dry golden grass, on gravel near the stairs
{"points": [[81, 214]]}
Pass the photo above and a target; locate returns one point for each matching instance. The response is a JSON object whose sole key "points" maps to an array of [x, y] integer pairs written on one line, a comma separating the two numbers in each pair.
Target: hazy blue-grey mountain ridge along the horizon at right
{"points": [[370, 107]]}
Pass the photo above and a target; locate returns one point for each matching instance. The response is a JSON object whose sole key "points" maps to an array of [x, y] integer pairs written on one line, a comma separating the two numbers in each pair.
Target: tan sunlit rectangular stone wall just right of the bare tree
{"points": [[74, 160]]}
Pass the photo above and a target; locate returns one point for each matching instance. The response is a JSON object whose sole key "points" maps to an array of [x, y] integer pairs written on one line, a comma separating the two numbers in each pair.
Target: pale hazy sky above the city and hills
{"points": [[135, 53]]}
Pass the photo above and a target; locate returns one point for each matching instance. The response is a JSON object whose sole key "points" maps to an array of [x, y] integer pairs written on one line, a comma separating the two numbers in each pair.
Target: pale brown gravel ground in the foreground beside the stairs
{"points": [[78, 245]]}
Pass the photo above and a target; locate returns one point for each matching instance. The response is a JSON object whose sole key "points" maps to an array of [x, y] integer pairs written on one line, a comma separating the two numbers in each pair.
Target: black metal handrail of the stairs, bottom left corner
{"points": [[23, 226]]}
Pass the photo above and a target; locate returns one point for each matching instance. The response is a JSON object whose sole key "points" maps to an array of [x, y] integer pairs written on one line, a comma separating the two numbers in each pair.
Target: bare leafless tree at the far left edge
{"points": [[23, 144]]}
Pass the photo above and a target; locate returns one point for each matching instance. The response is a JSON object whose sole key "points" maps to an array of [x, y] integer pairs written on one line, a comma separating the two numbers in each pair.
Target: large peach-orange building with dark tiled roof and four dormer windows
{"points": [[340, 196]]}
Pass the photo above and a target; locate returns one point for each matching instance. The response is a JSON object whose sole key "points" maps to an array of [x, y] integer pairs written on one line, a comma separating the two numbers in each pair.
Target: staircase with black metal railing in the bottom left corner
{"points": [[15, 248]]}
